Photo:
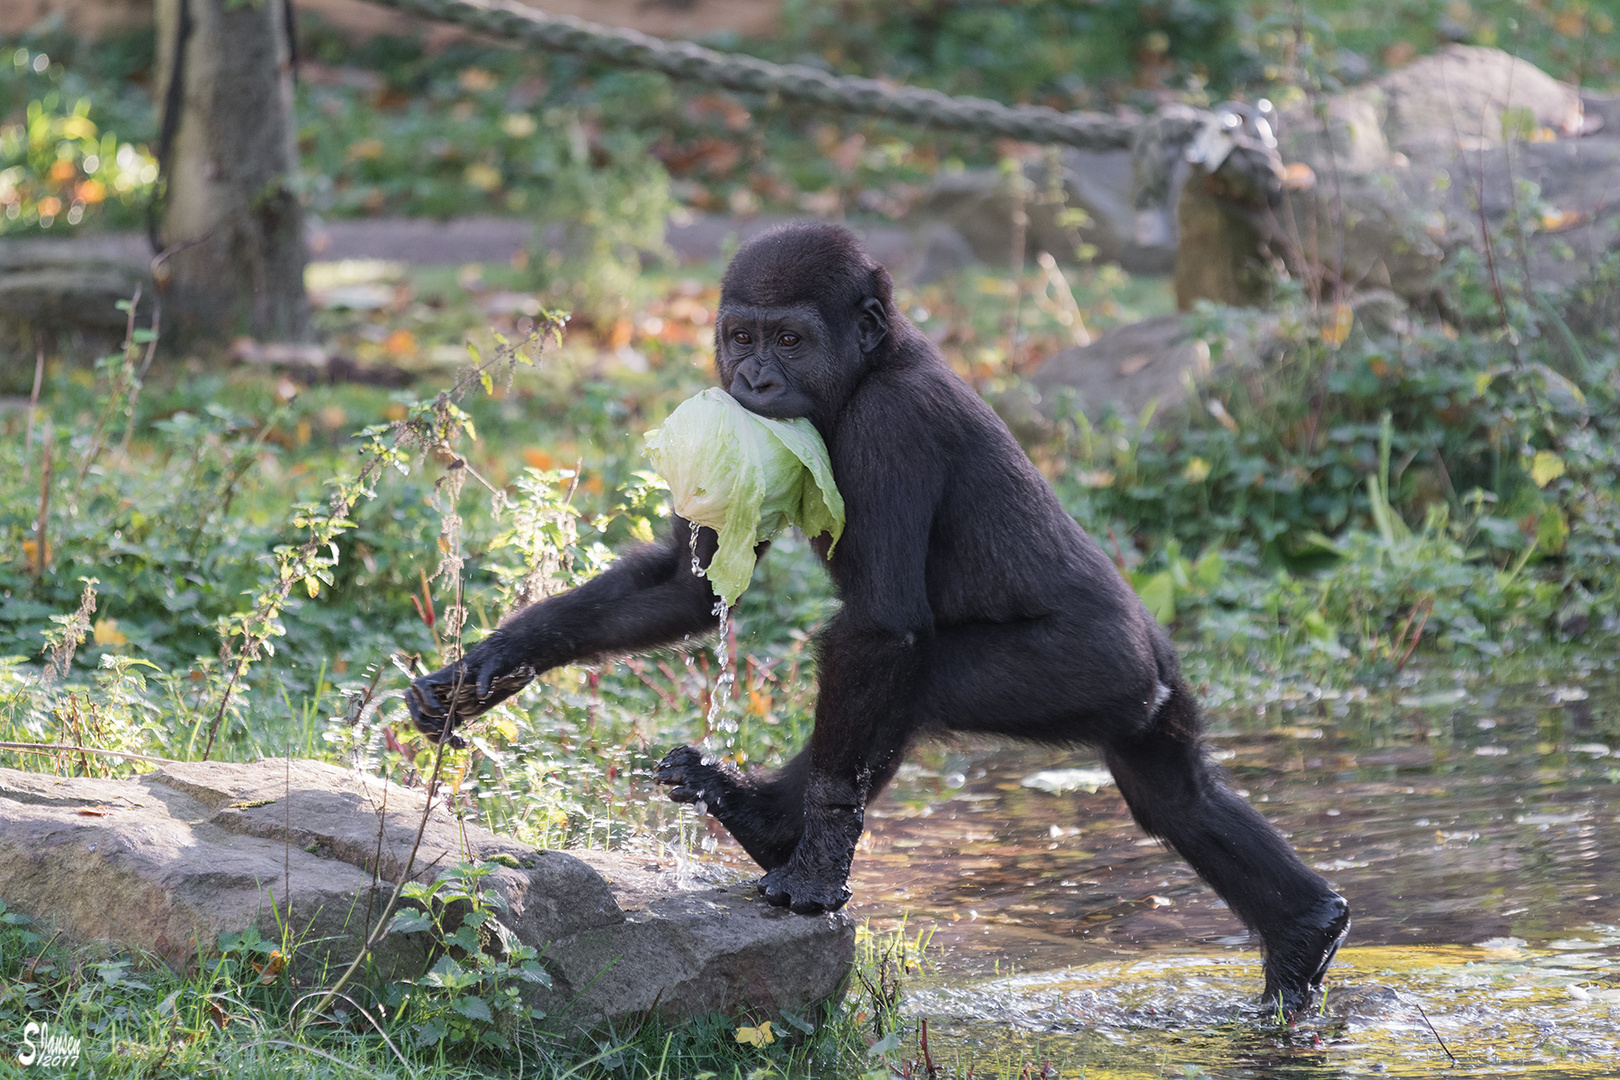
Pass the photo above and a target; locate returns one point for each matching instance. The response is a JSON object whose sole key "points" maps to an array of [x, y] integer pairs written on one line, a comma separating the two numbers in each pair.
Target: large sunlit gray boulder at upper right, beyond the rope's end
{"points": [[1425, 163]]}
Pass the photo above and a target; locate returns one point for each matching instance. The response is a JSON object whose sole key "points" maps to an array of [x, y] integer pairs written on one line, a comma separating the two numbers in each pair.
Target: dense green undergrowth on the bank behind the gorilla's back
{"points": [[1354, 501]]}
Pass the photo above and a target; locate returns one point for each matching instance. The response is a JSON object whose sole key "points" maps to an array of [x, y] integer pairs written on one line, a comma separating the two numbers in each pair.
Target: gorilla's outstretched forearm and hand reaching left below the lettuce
{"points": [[647, 598]]}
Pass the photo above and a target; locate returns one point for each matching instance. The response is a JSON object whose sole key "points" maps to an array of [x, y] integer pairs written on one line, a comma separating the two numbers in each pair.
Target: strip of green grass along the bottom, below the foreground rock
{"points": [[241, 1013]]}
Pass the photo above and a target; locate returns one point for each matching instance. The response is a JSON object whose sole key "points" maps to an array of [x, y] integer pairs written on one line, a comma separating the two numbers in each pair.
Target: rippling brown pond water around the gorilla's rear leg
{"points": [[1475, 833]]}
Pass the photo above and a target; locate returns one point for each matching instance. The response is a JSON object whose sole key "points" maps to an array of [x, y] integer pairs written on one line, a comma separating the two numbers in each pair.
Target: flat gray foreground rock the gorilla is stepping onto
{"points": [[173, 861]]}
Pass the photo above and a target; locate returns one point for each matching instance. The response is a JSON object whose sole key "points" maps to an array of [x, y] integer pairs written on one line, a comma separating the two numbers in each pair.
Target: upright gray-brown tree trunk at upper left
{"points": [[229, 213]]}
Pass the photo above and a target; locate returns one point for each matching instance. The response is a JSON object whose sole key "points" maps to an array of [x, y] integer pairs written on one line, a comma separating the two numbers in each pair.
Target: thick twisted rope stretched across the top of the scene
{"points": [[787, 82]]}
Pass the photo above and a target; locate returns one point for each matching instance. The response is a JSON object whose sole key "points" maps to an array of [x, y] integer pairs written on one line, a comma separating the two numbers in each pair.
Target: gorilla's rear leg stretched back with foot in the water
{"points": [[1177, 796]]}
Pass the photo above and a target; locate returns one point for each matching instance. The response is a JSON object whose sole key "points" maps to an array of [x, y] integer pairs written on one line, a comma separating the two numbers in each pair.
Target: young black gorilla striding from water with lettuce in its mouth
{"points": [[971, 603]]}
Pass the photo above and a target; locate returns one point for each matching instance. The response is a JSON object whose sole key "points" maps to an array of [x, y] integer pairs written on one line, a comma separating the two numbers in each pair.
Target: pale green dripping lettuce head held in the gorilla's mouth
{"points": [[748, 478]]}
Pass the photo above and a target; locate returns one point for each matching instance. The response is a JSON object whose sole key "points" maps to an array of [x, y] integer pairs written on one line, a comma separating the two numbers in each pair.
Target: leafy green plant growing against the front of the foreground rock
{"points": [[474, 992]]}
